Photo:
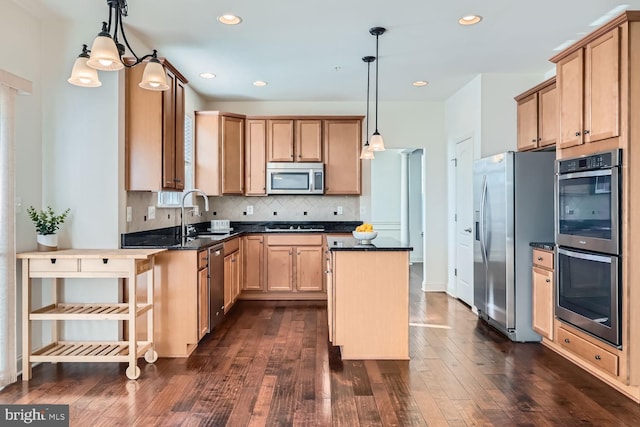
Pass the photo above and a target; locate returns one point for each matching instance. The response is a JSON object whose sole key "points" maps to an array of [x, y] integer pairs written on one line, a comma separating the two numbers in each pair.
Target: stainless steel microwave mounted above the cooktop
{"points": [[295, 178]]}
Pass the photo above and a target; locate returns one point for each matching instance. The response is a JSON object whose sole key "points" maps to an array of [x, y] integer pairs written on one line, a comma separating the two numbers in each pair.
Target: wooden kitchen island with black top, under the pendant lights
{"points": [[368, 298]]}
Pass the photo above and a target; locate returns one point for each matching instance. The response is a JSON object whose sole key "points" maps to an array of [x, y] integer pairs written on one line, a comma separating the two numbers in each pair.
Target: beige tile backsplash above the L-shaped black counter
{"points": [[237, 208]]}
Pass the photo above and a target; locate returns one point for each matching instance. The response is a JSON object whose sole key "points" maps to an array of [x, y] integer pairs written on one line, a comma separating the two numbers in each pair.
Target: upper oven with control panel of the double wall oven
{"points": [[588, 196]]}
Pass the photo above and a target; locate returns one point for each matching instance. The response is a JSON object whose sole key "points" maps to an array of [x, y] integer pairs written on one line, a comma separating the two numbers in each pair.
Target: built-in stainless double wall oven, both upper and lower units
{"points": [[588, 222]]}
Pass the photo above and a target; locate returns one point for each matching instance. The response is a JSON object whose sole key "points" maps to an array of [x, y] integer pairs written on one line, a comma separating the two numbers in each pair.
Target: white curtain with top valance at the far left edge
{"points": [[9, 87]]}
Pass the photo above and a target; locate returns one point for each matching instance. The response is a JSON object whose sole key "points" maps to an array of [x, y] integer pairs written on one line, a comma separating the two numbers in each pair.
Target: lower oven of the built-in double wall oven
{"points": [[588, 293]]}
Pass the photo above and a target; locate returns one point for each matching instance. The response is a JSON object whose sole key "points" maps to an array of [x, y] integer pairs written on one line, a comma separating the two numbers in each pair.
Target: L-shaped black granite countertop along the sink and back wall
{"points": [[169, 237]]}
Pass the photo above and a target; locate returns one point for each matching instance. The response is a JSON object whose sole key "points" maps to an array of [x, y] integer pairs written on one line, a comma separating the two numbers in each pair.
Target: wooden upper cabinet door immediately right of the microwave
{"points": [[342, 156]]}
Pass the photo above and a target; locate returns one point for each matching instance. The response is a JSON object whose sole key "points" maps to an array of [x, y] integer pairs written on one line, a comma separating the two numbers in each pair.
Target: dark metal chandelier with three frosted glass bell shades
{"points": [[106, 55]]}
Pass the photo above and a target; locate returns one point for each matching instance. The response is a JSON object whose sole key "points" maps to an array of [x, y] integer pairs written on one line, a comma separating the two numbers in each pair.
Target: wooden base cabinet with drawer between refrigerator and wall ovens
{"points": [[543, 292]]}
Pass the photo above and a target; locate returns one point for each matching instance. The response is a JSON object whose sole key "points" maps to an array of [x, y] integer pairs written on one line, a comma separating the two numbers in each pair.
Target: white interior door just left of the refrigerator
{"points": [[464, 223]]}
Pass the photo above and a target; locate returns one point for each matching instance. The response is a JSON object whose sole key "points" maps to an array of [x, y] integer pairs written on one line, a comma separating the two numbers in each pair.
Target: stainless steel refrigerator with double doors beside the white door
{"points": [[513, 206]]}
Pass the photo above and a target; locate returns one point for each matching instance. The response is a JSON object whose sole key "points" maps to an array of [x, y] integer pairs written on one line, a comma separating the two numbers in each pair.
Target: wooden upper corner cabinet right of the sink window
{"points": [[219, 153]]}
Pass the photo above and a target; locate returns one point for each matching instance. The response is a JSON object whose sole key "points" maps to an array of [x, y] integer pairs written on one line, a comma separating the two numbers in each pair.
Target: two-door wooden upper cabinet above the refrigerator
{"points": [[537, 119]]}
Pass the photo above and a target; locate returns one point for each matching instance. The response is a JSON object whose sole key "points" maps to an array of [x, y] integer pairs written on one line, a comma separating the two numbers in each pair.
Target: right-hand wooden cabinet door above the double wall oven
{"points": [[602, 87]]}
